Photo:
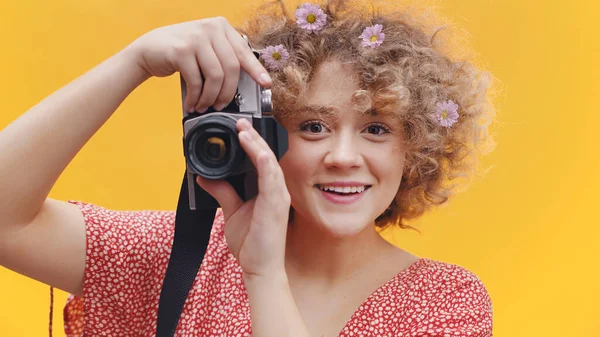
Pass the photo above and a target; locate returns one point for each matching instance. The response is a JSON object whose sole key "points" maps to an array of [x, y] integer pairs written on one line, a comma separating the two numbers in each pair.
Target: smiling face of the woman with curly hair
{"points": [[359, 157]]}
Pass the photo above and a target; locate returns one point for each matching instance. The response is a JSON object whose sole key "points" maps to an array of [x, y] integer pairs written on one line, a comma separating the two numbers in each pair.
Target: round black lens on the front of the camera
{"points": [[211, 147]]}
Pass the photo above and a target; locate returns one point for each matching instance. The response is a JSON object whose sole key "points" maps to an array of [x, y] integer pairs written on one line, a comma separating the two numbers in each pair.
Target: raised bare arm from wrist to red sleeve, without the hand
{"points": [[42, 238]]}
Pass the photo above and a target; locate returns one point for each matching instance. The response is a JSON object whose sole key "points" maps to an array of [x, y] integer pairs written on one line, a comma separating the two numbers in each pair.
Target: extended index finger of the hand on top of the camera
{"points": [[247, 60]]}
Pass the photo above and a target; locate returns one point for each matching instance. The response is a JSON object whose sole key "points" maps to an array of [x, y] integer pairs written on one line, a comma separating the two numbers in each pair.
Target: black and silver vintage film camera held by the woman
{"points": [[211, 144]]}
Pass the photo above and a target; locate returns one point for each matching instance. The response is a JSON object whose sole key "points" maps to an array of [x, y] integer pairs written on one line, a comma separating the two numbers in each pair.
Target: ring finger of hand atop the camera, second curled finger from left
{"points": [[213, 77]]}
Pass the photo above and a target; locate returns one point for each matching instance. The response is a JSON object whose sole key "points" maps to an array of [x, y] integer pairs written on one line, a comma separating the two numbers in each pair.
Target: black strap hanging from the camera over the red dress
{"points": [[192, 233]]}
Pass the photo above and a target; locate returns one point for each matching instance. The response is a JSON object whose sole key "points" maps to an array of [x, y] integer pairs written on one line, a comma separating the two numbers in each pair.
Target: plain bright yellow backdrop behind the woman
{"points": [[529, 229]]}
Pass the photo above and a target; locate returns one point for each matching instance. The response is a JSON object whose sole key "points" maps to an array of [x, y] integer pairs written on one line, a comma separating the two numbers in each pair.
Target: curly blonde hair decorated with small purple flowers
{"points": [[415, 67]]}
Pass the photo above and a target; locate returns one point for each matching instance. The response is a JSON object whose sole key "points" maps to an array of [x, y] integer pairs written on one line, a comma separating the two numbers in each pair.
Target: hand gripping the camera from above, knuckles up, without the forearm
{"points": [[211, 46]]}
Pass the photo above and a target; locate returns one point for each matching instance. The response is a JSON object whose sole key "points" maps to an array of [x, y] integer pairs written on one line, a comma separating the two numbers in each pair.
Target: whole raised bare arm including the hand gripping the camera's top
{"points": [[45, 239]]}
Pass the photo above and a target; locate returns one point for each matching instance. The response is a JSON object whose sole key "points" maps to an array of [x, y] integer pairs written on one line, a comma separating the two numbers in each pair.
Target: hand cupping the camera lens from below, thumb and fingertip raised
{"points": [[255, 230]]}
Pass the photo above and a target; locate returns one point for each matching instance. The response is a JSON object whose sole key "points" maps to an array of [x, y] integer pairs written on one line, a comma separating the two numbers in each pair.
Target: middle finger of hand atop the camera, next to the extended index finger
{"points": [[231, 68]]}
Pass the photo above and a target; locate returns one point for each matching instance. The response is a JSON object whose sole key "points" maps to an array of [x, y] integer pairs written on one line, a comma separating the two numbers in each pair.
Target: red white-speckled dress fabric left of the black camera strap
{"points": [[126, 256]]}
